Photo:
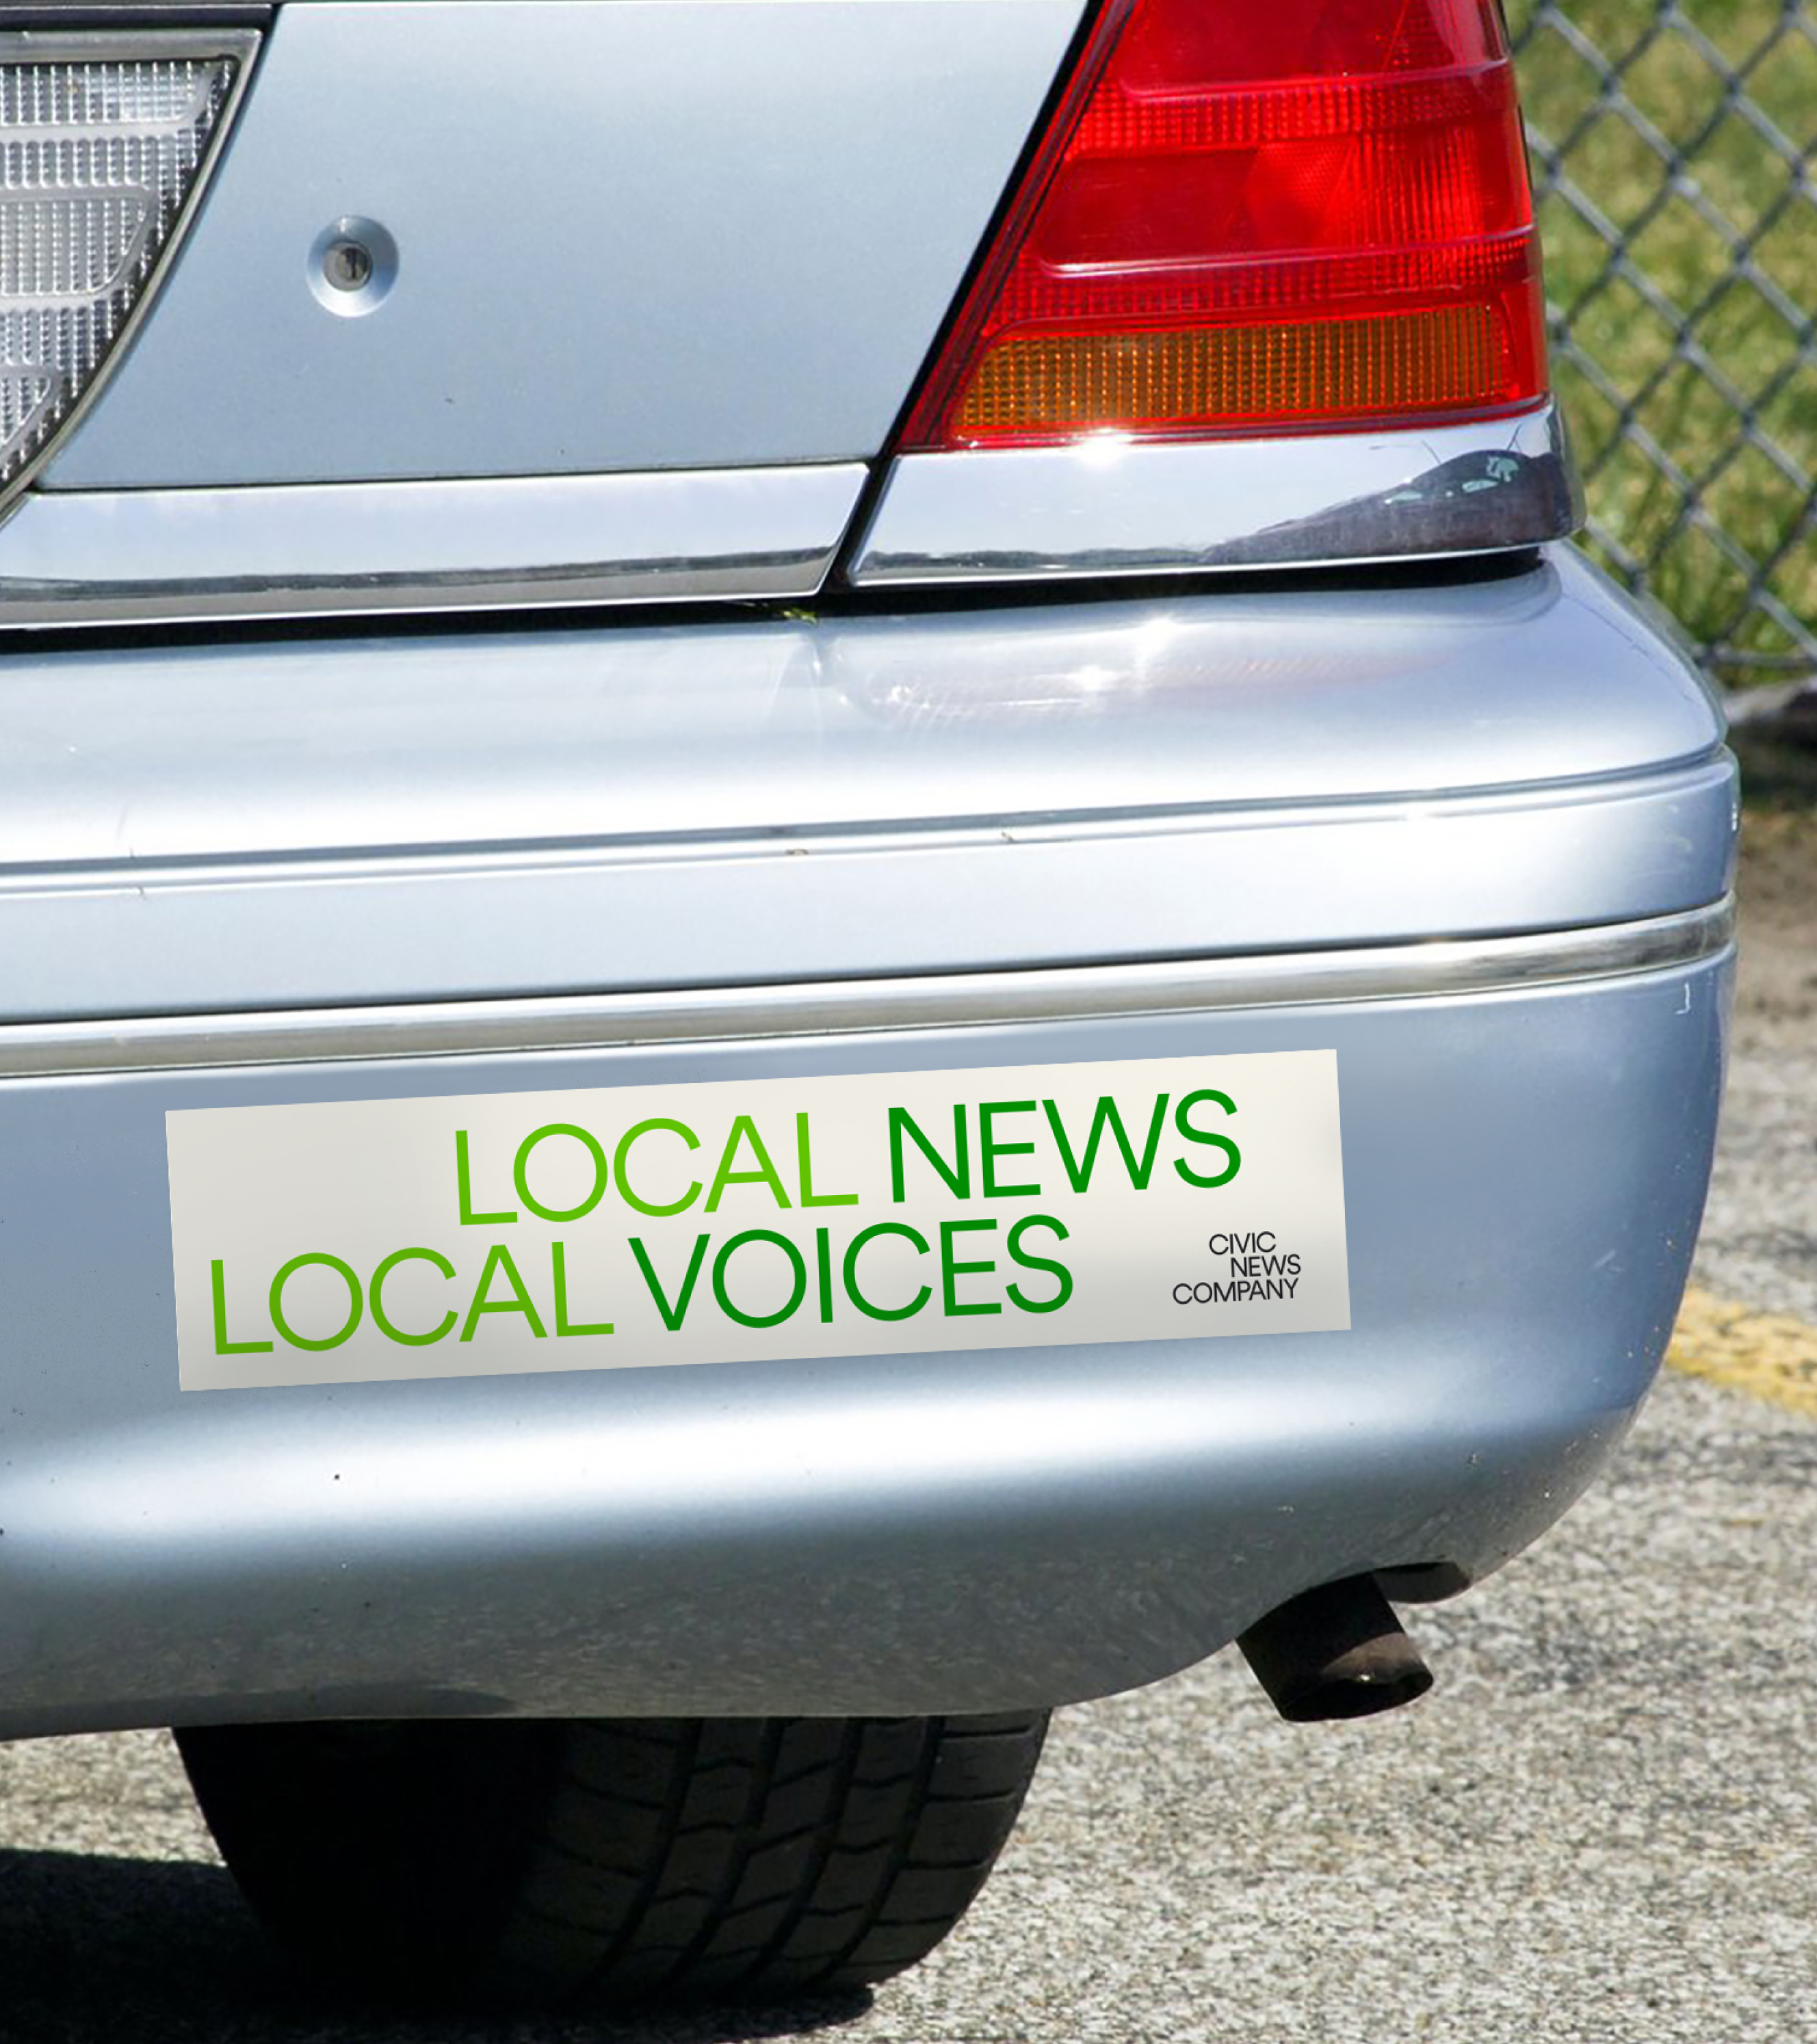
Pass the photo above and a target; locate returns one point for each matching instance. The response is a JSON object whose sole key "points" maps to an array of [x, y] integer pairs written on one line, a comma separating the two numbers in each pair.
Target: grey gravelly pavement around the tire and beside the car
{"points": [[1601, 1828]]}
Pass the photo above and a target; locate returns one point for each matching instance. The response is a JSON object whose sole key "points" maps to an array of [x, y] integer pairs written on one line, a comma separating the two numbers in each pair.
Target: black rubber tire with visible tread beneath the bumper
{"points": [[614, 1861]]}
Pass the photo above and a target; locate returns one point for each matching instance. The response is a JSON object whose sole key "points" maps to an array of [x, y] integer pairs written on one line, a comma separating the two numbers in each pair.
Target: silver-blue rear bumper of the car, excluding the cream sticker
{"points": [[1483, 862]]}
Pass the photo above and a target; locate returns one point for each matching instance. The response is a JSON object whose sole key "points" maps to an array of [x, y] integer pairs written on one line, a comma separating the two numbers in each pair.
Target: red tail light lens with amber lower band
{"points": [[1260, 216]]}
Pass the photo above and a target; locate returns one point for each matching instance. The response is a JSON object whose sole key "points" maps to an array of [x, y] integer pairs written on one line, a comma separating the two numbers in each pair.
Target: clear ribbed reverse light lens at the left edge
{"points": [[101, 150]]}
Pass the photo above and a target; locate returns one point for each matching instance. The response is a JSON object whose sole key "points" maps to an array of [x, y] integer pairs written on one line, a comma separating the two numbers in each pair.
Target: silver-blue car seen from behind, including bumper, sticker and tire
{"points": [[825, 917]]}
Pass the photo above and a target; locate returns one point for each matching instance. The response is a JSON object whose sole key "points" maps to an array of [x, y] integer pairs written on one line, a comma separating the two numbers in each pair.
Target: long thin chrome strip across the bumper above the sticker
{"points": [[866, 1007]]}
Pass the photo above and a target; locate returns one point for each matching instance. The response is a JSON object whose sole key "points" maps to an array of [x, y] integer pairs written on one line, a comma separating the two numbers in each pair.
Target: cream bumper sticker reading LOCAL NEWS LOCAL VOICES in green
{"points": [[855, 1215]]}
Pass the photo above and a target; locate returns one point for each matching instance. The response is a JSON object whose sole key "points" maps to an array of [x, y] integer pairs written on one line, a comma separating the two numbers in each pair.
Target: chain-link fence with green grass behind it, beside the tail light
{"points": [[1673, 156]]}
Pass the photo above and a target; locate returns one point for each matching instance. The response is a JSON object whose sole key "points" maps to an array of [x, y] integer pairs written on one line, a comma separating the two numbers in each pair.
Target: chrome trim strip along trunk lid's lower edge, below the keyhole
{"points": [[285, 551]]}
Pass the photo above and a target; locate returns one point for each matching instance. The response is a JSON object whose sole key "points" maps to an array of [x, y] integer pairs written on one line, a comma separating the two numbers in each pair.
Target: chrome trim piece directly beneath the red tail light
{"points": [[1111, 506]]}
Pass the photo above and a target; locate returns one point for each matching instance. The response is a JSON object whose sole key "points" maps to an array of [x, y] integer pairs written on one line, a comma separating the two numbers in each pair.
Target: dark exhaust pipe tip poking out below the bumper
{"points": [[1336, 1653]]}
